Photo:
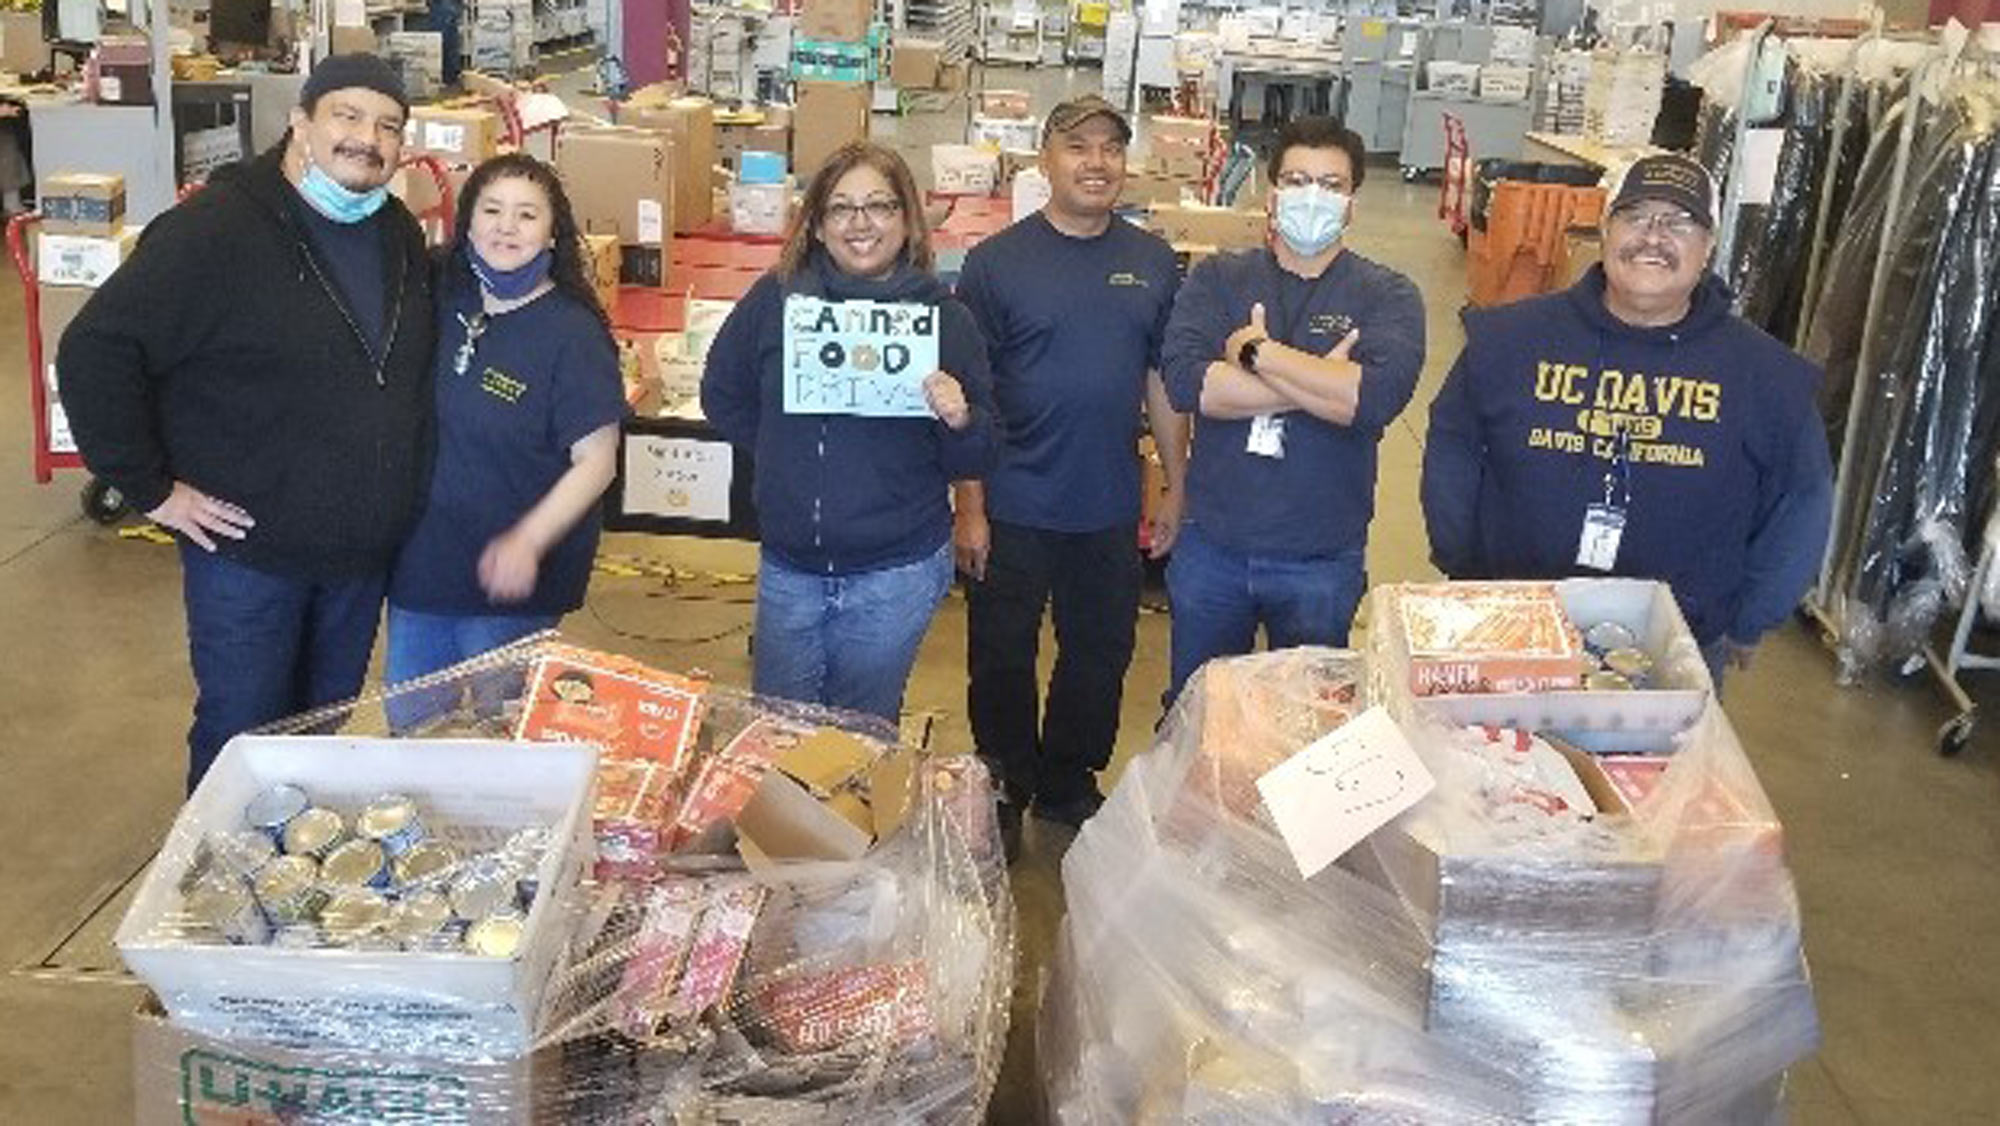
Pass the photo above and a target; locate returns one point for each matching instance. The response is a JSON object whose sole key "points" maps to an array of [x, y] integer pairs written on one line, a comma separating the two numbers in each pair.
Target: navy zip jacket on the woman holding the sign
{"points": [[843, 495]]}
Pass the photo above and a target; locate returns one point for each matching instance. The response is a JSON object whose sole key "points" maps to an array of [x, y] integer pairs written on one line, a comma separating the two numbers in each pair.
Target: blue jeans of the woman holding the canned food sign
{"points": [[845, 641]]}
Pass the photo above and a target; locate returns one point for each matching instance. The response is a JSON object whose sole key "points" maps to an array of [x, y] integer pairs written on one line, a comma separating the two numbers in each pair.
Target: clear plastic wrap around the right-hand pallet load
{"points": [[1505, 953]]}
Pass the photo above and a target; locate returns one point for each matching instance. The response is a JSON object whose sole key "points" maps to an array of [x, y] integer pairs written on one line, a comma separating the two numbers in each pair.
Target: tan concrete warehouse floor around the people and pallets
{"points": [[1895, 849]]}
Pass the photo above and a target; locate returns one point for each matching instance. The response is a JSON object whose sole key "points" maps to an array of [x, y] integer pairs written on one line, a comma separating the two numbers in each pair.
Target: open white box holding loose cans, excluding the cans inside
{"points": [[467, 791]]}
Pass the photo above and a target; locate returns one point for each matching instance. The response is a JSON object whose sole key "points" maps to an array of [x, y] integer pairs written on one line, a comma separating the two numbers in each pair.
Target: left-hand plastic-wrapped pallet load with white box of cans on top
{"points": [[711, 909]]}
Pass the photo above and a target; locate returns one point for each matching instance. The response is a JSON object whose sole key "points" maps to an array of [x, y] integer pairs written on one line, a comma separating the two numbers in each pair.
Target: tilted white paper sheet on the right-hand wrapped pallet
{"points": [[1345, 787]]}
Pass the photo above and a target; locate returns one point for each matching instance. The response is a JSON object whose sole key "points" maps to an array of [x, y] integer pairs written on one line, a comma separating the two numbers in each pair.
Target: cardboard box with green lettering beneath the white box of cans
{"points": [[183, 1077]]}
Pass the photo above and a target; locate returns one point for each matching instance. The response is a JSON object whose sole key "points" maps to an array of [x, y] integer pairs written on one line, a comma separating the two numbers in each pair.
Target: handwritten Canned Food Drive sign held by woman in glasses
{"points": [[865, 359]]}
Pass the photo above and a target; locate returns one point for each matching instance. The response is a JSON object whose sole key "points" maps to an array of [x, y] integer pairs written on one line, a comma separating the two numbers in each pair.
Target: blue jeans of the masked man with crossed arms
{"points": [[1221, 599]]}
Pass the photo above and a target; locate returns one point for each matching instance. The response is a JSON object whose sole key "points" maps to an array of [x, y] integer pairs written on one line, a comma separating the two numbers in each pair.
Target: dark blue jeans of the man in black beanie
{"points": [[269, 647]]}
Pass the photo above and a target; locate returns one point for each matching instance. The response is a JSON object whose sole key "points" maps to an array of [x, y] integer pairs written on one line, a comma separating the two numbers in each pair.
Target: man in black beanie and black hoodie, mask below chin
{"points": [[257, 379]]}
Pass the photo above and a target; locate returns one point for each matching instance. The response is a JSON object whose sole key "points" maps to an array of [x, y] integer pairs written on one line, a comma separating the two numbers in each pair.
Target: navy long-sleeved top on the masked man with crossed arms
{"points": [[1319, 497]]}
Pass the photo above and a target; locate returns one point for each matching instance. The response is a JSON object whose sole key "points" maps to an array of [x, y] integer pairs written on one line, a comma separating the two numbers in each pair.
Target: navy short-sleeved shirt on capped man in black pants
{"points": [[1073, 327]]}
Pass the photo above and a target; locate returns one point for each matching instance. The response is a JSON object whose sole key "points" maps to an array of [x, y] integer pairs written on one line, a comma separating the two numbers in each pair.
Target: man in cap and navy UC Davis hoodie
{"points": [[1635, 427]]}
